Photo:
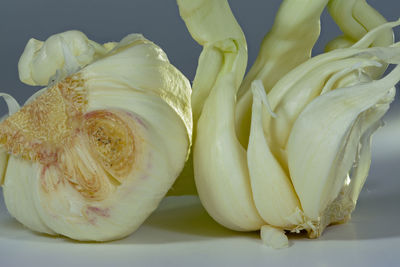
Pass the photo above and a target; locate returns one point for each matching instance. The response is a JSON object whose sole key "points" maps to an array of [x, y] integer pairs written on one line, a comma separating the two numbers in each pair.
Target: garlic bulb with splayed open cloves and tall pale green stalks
{"points": [[307, 152]]}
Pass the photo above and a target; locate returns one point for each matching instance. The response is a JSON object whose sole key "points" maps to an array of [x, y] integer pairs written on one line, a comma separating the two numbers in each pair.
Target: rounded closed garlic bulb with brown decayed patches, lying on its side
{"points": [[92, 155]]}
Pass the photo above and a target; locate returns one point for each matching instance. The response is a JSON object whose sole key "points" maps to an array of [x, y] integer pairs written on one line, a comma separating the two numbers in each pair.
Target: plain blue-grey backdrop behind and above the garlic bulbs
{"points": [[158, 20]]}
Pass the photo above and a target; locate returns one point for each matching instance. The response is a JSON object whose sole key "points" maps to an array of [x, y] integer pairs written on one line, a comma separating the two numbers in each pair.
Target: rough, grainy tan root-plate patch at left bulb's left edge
{"points": [[39, 130]]}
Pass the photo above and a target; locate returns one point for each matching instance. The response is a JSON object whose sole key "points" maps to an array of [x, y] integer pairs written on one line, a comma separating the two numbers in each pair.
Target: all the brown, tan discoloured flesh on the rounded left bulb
{"points": [[53, 130]]}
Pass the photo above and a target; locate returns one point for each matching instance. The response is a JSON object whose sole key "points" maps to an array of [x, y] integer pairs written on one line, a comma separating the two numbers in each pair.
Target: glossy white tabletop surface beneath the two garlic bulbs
{"points": [[180, 233]]}
